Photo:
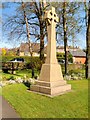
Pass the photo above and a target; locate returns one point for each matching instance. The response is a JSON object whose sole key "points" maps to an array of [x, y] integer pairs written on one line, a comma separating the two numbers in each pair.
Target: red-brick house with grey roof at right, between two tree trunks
{"points": [[78, 56]]}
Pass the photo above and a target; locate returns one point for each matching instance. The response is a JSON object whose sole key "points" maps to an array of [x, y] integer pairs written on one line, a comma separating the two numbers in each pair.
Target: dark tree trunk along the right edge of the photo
{"points": [[88, 45]]}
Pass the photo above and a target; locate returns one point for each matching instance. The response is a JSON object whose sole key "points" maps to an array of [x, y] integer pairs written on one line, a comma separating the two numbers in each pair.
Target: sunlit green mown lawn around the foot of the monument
{"points": [[31, 105]]}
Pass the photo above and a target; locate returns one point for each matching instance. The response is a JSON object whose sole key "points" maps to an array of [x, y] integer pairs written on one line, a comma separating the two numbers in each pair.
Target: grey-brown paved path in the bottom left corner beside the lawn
{"points": [[6, 110]]}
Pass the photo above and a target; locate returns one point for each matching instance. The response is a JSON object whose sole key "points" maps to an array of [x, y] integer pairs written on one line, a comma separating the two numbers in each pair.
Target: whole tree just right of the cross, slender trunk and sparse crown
{"points": [[69, 25]]}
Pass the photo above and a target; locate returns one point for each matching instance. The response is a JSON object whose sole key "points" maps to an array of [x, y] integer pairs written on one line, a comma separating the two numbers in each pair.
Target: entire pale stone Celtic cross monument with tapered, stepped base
{"points": [[51, 79]]}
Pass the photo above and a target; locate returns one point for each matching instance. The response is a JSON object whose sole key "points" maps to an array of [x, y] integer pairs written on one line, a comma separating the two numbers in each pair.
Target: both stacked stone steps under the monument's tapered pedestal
{"points": [[51, 88]]}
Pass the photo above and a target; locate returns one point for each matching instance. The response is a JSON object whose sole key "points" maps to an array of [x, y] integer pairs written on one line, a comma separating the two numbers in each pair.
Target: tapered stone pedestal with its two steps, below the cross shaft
{"points": [[51, 82]]}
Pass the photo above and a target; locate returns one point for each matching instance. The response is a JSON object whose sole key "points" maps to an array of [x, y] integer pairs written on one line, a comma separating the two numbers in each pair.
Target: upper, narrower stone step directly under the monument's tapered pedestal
{"points": [[51, 84]]}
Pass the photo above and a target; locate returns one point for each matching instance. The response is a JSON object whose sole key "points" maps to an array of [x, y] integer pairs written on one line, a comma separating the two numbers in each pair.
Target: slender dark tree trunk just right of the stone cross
{"points": [[65, 36]]}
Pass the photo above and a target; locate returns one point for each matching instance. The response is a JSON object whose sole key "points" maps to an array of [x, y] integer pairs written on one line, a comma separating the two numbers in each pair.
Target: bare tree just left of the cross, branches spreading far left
{"points": [[35, 20]]}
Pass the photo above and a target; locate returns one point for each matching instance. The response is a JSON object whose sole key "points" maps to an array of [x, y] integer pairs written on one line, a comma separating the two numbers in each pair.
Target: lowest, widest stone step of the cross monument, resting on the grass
{"points": [[51, 90]]}
